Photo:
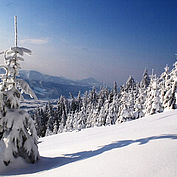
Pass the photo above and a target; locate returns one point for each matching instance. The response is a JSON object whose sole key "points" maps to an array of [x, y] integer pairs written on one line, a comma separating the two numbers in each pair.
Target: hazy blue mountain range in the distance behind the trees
{"points": [[51, 87]]}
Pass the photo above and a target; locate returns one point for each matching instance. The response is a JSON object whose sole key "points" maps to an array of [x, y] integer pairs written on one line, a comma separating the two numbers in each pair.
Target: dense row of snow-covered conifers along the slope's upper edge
{"points": [[132, 100]]}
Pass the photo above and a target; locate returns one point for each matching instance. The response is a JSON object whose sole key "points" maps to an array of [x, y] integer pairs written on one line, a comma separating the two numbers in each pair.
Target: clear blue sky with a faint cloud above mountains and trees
{"points": [[105, 39]]}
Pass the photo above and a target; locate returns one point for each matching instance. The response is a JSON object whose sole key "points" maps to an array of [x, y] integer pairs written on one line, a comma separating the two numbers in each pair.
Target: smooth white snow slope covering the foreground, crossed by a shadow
{"points": [[146, 147]]}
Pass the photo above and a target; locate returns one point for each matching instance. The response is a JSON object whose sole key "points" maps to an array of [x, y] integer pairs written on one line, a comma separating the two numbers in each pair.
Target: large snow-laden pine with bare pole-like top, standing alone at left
{"points": [[17, 130]]}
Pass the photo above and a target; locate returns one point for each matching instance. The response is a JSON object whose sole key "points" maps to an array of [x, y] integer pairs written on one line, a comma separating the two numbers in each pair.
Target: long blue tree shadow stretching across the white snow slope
{"points": [[47, 163]]}
